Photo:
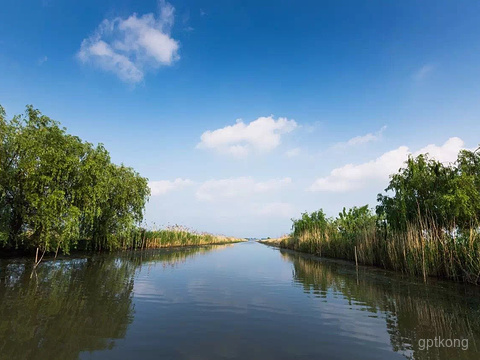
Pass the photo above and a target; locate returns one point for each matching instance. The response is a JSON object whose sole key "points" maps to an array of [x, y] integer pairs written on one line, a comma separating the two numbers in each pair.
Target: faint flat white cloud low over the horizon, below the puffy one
{"points": [[212, 190]]}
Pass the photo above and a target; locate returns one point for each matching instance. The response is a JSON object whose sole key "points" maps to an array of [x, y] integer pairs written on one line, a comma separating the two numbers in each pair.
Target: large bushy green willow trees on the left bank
{"points": [[56, 189]]}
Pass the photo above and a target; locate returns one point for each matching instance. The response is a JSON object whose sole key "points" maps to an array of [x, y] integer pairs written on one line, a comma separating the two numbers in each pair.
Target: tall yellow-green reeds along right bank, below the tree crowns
{"points": [[422, 249]]}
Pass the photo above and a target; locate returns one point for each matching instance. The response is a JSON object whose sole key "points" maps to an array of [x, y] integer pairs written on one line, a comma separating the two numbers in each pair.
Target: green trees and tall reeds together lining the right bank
{"points": [[427, 223]]}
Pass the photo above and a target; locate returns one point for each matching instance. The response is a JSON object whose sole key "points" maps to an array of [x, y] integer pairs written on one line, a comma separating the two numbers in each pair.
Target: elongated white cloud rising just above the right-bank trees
{"points": [[351, 177]]}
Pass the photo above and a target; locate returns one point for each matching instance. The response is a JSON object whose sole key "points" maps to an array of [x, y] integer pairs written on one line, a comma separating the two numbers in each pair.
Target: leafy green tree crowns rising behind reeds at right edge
{"points": [[448, 196]]}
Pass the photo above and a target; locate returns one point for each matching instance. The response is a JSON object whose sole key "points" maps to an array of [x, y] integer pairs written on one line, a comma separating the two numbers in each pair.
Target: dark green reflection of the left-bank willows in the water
{"points": [[73, 305]]}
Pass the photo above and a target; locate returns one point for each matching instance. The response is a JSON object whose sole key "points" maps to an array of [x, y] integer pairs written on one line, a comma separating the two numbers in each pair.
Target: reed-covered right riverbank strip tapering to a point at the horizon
{"points": [[411, 253]]}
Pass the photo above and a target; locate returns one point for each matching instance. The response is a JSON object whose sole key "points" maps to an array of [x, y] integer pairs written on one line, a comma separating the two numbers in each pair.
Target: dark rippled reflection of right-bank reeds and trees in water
{"points": [[413, 310]]}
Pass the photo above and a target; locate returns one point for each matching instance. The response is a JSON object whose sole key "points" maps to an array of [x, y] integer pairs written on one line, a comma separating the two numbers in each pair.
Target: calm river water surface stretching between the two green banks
{"points": [[243, 301]]}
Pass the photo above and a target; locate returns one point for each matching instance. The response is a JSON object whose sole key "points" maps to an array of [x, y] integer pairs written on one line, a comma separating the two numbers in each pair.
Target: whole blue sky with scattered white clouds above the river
{"points": [[332, 96]]}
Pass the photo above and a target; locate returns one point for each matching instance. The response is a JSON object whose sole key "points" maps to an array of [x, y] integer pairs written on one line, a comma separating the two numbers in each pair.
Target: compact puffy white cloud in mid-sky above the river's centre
{"points": [[262, 134]]}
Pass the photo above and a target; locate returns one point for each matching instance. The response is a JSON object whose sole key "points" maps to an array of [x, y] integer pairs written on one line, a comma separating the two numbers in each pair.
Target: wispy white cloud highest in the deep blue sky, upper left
{"points": [[130, 47]]}
